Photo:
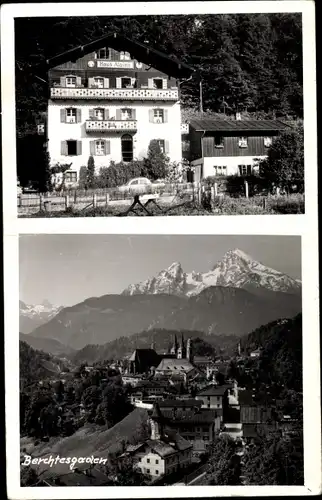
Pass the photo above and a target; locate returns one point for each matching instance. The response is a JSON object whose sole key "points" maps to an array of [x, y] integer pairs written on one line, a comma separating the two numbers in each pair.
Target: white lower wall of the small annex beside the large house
{"points": [[226, 165]]}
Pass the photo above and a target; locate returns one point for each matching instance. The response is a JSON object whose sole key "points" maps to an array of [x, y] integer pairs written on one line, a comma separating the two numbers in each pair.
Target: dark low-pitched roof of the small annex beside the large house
{"points": [[212, 125]]}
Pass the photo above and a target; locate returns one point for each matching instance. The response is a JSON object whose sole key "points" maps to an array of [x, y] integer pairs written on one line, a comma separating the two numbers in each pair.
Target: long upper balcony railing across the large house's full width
{"points": [[121, 94]]}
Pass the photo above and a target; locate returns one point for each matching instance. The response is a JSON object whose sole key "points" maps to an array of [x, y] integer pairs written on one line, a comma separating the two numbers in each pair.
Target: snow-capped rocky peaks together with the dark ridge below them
{"points": [[237, 296]]}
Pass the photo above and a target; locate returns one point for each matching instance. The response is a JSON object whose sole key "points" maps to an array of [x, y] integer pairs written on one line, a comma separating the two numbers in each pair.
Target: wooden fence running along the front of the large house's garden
{"points": [[168, 194]]}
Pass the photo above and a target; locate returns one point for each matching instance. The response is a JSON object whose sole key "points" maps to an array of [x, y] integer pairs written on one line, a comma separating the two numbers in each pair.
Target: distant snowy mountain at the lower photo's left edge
{"points": [[31, 316]]}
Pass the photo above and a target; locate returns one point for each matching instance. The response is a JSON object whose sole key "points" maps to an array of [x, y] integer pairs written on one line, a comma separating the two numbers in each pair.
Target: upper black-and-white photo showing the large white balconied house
{"points": [[154, 115]]}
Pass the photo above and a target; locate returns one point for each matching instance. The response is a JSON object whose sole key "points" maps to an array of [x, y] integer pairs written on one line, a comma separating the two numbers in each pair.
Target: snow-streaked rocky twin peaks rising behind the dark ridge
{"points": [[236, 269]]}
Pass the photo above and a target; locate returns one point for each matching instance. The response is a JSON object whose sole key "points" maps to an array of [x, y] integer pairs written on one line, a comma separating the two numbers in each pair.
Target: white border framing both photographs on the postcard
{"points": [[304, 225]]}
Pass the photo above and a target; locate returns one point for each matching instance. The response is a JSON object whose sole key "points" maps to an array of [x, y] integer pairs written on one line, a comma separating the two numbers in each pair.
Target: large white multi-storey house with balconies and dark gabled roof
{"points": [[109, 99]]}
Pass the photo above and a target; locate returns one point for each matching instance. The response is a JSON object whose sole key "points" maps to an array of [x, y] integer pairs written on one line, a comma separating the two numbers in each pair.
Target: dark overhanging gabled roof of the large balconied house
{"points": [[140, 51]]}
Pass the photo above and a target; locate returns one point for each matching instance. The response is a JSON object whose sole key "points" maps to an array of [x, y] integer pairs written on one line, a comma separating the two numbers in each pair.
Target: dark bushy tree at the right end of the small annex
{"points": [[284, 165]]}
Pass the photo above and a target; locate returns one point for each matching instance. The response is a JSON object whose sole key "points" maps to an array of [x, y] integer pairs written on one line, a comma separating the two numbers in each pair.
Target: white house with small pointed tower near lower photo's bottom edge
{"points": [[166, 452]]}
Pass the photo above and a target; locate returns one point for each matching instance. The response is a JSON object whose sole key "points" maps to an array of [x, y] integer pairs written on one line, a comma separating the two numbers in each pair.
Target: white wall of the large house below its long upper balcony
{"points": [[144, 129]]}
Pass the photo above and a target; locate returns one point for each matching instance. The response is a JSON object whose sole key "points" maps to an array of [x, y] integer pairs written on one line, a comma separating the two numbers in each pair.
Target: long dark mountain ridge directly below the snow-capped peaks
{"points": [[216, 310]]}
